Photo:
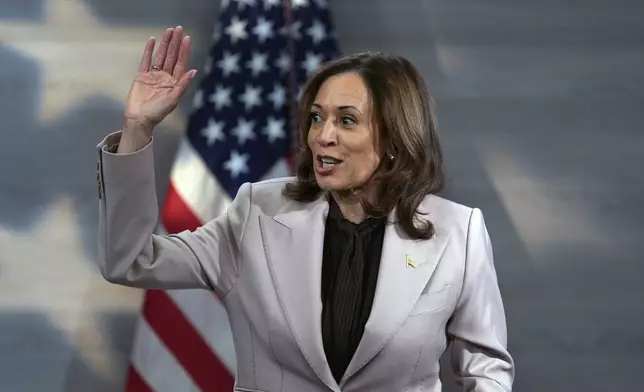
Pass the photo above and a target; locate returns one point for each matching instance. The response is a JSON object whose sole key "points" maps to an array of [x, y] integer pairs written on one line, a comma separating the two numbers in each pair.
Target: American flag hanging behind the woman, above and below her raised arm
{"points": [[241, 130]]}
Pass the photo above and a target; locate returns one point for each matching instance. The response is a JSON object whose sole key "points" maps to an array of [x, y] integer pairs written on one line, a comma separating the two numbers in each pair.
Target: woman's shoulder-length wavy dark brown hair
{"points": [[404, 117]]}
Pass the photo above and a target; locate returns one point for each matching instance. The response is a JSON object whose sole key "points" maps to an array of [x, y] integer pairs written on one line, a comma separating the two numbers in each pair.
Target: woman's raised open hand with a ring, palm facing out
{"points": [[160, 82]]}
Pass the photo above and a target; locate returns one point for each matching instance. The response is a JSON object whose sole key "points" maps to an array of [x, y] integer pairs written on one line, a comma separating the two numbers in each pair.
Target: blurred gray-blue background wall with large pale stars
{"points": [[540, 114]]}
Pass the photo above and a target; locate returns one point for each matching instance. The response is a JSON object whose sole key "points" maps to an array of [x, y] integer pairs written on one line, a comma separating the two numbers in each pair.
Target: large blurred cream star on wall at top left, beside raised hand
{"points": [[75, 67]]}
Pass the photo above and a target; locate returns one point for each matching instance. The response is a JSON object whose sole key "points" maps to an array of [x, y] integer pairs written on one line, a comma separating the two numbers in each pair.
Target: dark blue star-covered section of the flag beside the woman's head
{"points": [[262, 53]]}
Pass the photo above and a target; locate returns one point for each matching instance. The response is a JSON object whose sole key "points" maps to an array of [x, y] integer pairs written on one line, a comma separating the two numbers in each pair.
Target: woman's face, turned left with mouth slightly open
{"points": [[342, 137]]}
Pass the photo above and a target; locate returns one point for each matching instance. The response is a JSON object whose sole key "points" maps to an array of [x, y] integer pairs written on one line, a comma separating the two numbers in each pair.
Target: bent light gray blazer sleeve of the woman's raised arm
{"points": [[130, 253]]}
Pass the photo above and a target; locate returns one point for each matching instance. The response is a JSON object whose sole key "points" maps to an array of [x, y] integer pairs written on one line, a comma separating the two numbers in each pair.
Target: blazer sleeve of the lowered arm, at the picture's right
{"points": [[479, 355]]}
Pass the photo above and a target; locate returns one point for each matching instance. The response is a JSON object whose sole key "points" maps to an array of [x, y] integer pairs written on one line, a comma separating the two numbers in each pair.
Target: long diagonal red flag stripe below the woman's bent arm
{"points": [[185, 343]]}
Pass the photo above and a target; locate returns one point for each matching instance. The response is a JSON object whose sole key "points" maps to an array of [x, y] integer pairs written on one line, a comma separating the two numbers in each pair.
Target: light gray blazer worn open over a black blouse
{"points": [[263, 257]]}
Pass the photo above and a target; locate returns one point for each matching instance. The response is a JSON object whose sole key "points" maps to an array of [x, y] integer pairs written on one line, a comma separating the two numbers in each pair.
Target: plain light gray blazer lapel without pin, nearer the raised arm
{"points": [[294, 241]]}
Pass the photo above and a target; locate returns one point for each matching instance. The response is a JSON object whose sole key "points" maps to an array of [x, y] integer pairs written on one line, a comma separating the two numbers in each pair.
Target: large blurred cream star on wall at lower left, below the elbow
{"points": [[60, 286]]}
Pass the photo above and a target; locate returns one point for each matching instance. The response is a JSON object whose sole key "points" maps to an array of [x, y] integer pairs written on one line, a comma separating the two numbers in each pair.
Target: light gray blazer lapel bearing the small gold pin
{"points": [[406, 266]]}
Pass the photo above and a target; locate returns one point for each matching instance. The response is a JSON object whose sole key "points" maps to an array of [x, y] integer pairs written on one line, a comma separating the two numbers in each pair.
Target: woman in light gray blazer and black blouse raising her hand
{"points": [[352, 276]]}
